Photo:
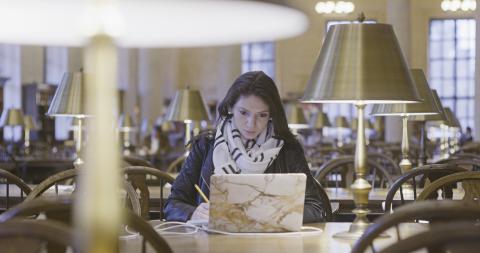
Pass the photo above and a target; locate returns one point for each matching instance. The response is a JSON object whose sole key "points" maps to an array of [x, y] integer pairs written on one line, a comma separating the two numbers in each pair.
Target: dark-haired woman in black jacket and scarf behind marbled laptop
{"points": [[252, 119]]}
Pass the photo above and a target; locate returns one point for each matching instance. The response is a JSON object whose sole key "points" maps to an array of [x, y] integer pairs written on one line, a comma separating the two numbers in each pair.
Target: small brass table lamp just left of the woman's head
{"points": [[186, 107]]}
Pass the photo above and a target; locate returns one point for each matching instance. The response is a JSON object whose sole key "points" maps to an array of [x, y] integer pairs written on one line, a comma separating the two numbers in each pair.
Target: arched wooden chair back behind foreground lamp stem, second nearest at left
{"points": [[58, 179]]}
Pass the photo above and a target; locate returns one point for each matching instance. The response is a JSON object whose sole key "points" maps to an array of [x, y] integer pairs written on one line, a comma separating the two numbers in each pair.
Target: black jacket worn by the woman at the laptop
{"points": [[198, 167]]}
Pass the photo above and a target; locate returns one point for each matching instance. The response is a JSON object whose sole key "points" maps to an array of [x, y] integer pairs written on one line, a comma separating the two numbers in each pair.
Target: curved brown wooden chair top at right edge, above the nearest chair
{"points": [[470, 184]]}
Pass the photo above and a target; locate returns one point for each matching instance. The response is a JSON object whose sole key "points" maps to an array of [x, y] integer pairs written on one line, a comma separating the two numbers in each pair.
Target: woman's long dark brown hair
{"points": [[259, 84]]}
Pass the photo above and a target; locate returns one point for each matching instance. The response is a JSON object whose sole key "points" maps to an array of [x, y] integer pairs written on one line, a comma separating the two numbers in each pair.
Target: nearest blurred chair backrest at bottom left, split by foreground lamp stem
{"points": [[64, 204]]}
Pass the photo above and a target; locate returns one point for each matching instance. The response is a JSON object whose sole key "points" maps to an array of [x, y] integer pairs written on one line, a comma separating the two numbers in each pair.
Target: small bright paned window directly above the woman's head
{"points": [[259, 56]]}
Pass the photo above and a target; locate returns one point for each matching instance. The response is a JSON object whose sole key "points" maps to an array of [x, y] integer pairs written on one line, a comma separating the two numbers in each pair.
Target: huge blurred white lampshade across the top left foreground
{"points": [[148, 23]]}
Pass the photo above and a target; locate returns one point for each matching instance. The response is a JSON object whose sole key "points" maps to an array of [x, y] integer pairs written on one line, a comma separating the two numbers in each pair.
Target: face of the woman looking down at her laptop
{"points": [[250, 115]]}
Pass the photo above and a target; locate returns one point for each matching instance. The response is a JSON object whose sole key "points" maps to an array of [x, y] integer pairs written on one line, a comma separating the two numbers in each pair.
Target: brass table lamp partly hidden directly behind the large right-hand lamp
{"points": [[426, 107]]}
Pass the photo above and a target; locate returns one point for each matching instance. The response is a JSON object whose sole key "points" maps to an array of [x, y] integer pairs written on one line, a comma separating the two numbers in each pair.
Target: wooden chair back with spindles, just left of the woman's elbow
{"points": [[141, 178]]}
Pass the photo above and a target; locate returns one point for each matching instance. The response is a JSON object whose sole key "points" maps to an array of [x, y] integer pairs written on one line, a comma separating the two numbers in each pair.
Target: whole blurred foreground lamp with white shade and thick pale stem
{"points": [[103, 25]]}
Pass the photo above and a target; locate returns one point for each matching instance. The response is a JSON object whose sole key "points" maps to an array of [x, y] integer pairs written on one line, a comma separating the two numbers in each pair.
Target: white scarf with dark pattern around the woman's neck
{"points": [[234, 155]]}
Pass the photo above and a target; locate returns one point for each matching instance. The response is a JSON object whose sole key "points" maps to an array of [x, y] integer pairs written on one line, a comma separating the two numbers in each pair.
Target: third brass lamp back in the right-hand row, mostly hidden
{"points": [[440, 117]]}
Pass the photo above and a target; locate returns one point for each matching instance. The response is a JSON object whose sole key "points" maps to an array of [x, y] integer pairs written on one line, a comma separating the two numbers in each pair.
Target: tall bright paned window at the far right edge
{"points": [[452, 65]]}
